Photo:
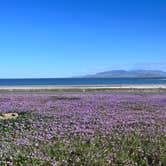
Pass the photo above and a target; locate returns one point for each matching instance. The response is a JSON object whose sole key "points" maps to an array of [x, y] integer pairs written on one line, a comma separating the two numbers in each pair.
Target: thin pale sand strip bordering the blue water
{"points": [[81, 87]]}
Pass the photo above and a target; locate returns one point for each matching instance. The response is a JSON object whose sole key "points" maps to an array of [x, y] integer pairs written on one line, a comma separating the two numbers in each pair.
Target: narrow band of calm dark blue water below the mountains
{"points": [[81, 81]]}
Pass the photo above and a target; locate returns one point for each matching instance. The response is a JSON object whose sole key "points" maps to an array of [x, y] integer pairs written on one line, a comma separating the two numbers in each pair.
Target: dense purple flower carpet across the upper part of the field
{"points": [[89, 113]]}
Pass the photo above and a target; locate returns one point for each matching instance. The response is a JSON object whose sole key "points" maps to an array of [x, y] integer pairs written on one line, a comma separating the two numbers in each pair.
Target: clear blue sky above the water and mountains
{"points": [[62, 38]]}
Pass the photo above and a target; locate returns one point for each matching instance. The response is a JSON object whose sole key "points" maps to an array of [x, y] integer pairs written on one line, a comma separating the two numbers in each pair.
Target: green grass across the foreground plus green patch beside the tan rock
{"points": [[117, 148]]}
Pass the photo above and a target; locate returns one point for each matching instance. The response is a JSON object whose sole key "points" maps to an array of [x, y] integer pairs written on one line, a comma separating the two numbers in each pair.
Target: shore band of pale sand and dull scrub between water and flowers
{"points": [[87, 88]]}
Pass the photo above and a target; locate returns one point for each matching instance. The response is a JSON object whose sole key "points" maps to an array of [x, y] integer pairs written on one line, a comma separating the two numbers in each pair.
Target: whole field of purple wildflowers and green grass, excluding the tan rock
{"points": [[83, 129]]}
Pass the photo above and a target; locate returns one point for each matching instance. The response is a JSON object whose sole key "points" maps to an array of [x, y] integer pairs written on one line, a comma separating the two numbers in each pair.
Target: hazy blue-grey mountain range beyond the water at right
{"points": [[128, 74]]}
